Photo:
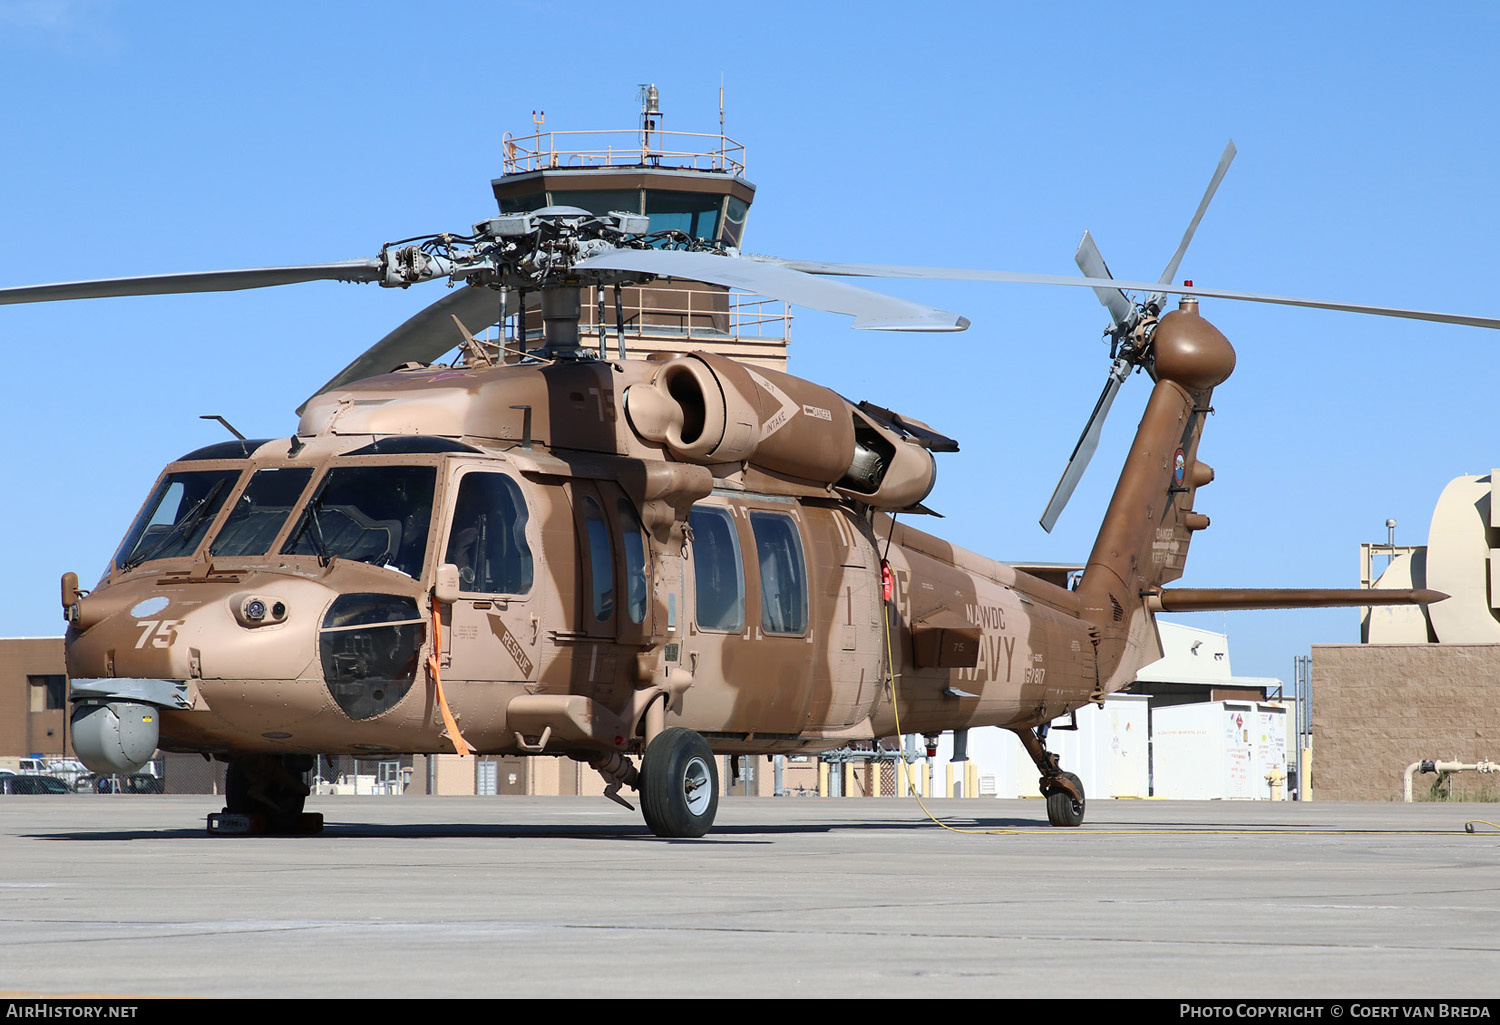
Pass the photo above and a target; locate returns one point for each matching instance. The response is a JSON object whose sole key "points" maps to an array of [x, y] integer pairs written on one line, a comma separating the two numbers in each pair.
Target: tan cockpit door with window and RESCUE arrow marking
{"points": [[493, 541]]}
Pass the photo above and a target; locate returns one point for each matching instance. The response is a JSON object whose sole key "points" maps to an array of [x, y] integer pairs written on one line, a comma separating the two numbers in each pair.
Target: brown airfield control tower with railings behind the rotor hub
{"points": [[680, 181]]}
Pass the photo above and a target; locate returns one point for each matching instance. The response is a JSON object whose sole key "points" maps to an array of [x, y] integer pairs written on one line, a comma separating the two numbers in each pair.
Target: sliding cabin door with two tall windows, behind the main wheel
{"points": [[751, 634]]}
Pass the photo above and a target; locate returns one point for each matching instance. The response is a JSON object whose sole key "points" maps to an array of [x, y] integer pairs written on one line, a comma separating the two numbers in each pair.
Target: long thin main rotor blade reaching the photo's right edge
{"points": [[958, 274]]}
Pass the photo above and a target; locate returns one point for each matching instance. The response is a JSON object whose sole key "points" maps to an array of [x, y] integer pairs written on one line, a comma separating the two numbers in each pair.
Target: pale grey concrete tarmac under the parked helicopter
{"points": [[838, 898]]}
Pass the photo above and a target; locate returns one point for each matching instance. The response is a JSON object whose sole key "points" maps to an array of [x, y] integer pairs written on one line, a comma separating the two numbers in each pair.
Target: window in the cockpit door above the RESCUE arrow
{"points": [[488, 541]]}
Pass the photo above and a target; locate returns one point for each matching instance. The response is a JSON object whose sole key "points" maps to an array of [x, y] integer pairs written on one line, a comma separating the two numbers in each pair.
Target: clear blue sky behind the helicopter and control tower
{"points": [[163, 137]]}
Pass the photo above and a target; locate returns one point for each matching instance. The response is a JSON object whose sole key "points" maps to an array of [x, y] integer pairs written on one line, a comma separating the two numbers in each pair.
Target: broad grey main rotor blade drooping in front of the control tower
{"points": [[871, 310]]}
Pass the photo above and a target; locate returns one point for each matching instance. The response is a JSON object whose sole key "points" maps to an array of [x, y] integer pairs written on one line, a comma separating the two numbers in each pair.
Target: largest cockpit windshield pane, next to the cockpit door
{"points": [[377, 516]]}
